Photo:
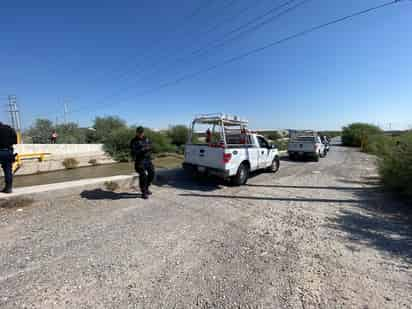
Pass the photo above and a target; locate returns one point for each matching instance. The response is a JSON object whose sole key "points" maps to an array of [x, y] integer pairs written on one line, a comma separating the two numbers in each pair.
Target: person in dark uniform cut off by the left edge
{"points": [[8, 138]]}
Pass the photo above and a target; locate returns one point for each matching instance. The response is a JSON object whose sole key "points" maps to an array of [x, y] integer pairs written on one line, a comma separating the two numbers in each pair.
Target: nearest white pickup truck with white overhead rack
{"points": [[228, 149]]}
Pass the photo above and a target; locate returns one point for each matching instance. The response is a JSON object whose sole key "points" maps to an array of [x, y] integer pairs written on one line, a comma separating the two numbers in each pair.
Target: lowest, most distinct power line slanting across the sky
{"points": [[262, 48]]}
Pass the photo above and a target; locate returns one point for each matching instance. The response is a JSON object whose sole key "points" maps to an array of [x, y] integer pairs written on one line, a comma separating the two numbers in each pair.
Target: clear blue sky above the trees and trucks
{"points": [[109, 58]]}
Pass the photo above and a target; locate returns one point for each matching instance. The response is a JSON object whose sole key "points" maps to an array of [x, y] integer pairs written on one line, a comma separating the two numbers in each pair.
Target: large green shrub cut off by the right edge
{"points": [[395, 167]]}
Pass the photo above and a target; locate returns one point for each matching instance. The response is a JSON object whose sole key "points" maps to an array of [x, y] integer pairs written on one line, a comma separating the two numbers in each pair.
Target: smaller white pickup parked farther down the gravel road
{"points": [[306, 146]]}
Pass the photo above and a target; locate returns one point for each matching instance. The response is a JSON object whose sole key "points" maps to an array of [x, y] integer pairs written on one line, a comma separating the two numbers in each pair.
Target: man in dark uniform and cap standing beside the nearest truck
{"points": [[141, 149]]}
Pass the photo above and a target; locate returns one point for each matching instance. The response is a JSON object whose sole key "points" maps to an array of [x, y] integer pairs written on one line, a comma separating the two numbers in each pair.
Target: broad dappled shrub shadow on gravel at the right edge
{"points": [[380, 221]]}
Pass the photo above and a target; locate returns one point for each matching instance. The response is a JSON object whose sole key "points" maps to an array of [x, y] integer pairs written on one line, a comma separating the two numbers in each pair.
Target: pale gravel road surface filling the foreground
{"points": [[314, 235]]}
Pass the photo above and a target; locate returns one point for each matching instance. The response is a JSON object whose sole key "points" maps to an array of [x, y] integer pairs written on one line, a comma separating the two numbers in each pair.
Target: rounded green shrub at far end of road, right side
{"points": [[357, 134]]}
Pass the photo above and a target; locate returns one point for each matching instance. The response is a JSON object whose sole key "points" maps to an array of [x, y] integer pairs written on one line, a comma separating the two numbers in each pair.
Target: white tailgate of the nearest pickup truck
{"points": [[203, 155]]}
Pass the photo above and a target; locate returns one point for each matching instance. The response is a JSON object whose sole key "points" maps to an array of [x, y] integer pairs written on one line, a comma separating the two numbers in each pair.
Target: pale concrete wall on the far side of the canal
{"points": [[85, 154]]}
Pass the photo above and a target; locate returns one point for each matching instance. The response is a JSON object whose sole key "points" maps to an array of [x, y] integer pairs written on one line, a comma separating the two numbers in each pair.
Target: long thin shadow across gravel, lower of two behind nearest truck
{"points": [[281, 199]]}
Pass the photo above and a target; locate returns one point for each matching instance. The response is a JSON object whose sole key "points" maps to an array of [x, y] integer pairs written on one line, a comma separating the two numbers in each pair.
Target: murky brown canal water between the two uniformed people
{"points": [[105, 170]]}
